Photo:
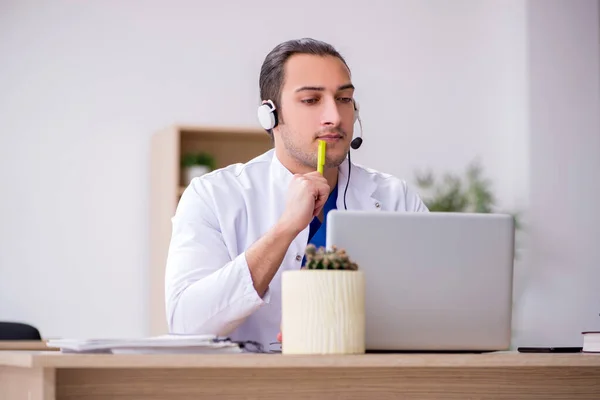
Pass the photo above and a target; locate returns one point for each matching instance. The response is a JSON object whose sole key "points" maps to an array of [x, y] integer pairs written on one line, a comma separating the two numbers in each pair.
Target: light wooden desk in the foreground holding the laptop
{"points": [[52, 375]]}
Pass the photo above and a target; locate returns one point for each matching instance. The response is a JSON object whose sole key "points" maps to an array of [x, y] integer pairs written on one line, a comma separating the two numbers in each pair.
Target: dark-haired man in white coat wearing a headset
{"points": [[237, 228]]}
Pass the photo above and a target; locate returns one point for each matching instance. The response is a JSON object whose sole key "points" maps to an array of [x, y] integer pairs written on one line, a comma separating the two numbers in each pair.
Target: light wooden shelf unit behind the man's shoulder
{"points": [[228, 145]]}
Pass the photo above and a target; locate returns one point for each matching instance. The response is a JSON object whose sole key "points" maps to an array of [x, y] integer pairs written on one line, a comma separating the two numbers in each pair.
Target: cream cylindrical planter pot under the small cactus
{"points": [[323, 312]]}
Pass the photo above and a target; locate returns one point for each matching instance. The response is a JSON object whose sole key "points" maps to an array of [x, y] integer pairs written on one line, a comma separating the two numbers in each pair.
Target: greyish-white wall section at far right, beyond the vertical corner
{"points": [[561, 280]]}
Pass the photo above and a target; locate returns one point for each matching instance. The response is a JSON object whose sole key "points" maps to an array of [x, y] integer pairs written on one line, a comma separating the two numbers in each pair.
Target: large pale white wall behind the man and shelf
{"points": [[83, 86]]}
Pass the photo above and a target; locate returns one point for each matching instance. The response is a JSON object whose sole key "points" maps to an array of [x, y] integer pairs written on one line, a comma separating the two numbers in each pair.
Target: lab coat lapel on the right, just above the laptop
{"points": [[361, 189]]}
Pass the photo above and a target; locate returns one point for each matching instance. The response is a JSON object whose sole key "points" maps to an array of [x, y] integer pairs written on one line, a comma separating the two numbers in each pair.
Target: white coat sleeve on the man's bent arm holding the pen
{"points": [[207, 292]]}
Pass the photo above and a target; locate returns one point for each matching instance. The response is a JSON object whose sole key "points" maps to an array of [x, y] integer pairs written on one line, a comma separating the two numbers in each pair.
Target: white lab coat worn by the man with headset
{"points": [[220, 215]]}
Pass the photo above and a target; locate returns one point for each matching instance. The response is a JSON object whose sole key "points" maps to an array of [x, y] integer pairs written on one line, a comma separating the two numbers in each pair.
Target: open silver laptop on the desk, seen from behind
{"points": [[434, 281]]}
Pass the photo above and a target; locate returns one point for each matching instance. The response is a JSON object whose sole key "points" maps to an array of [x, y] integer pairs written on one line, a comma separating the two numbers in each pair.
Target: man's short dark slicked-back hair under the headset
{"points": [[272, 70]]}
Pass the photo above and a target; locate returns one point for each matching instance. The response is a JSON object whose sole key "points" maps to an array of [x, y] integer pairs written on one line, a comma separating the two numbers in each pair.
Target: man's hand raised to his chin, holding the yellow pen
{"points": [[306, 197]]}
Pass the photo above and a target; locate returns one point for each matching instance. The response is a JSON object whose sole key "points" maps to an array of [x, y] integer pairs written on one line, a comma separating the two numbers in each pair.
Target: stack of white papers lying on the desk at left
{"points": [[195, 344]]}
